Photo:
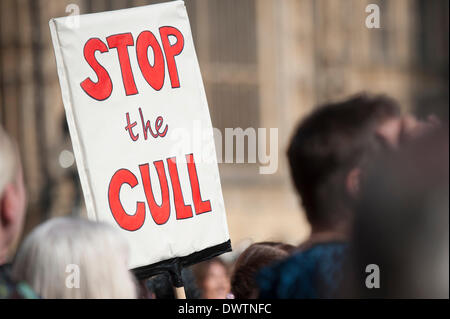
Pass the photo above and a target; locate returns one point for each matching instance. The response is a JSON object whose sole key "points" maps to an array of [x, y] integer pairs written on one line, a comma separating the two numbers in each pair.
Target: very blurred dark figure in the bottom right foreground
{"points": [[400, 242]]}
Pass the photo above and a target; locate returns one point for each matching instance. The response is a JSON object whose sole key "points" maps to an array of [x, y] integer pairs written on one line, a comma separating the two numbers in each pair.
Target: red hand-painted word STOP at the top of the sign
{"points": [[152, 73]]}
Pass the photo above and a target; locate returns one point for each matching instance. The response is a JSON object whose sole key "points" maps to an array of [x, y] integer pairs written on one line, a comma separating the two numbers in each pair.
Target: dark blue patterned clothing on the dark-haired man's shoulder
{"points": [[314, 273]]}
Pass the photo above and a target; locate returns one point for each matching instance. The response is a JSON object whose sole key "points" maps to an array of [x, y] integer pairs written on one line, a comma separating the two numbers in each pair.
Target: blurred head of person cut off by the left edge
{"points": [[12, 195]]}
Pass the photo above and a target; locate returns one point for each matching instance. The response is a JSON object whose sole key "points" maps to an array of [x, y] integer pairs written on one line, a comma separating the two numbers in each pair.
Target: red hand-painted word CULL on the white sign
{"points": [[159, 212]]}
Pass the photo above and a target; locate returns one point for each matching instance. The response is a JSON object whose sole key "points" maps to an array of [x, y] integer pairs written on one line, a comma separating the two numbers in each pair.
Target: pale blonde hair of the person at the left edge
{"points": [[8, 160]]}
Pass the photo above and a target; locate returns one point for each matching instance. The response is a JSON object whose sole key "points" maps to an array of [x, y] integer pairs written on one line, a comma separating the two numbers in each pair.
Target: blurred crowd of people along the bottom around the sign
{"points": [[372, 180]]}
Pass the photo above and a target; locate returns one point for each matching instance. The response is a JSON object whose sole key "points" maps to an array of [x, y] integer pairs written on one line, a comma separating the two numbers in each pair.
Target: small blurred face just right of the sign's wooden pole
{"points": [[212, 278]]}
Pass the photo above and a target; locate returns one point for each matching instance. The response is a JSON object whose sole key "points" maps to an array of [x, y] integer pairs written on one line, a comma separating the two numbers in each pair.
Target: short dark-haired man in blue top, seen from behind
{"points": [[326, 158]]}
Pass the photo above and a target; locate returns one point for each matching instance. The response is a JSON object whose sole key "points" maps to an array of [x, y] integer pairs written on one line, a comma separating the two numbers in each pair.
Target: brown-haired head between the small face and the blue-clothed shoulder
{"points": [[250, 262]]}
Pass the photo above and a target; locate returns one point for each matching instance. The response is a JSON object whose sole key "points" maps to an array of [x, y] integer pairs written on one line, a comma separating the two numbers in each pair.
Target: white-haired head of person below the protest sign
{"points": [[68, 257]]}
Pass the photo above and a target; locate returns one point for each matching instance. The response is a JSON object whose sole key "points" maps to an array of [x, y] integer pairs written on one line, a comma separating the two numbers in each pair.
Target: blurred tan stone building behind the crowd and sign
{"points": [[265, 63]]}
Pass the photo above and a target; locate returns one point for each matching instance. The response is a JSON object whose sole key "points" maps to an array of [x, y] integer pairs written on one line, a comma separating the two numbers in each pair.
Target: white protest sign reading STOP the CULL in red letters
{"points": [[132, 90]]}
